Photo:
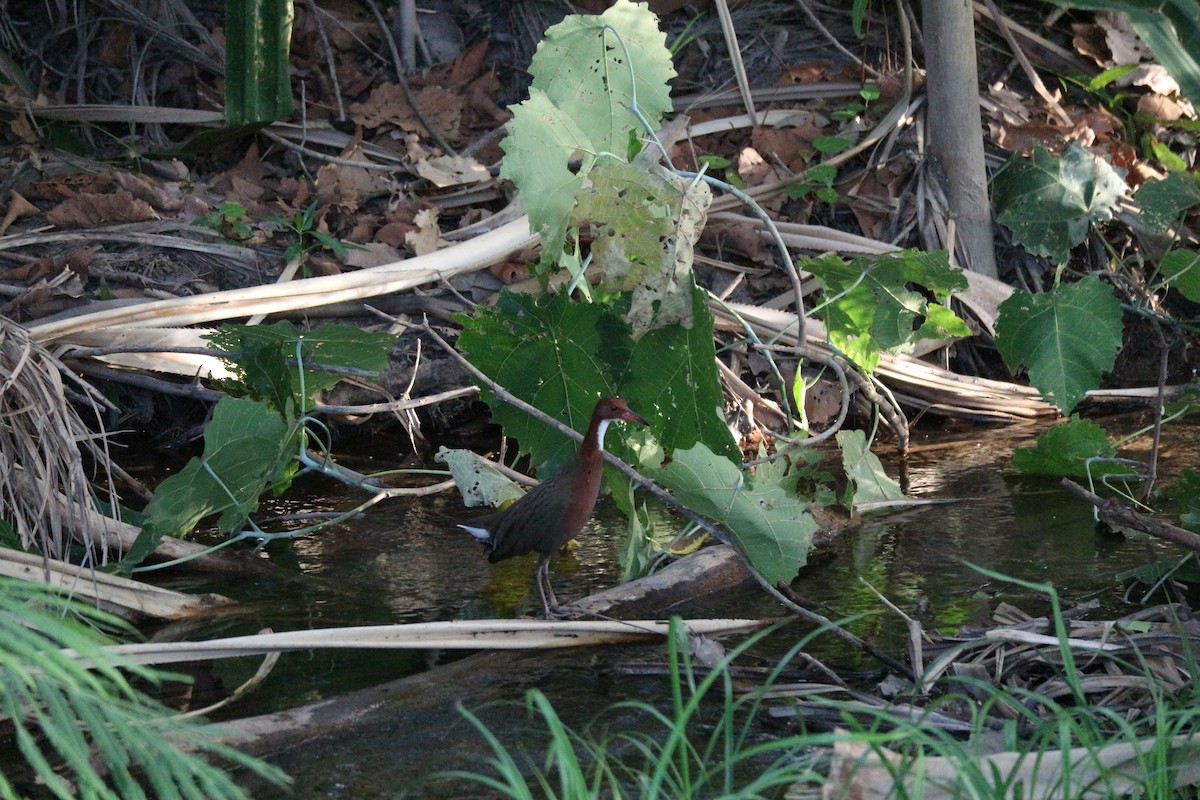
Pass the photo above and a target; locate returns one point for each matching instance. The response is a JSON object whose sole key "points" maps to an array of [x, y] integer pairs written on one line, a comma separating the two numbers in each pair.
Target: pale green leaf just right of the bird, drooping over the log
{"points": [[773, 527]]}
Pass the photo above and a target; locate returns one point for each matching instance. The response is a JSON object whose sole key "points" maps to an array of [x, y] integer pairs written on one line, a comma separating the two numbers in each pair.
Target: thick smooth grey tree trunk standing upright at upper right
{"points": [[956, 129]]}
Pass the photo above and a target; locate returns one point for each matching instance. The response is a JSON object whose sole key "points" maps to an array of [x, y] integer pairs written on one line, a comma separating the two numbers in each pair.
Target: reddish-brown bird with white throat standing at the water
{"points": [[556, 510]]}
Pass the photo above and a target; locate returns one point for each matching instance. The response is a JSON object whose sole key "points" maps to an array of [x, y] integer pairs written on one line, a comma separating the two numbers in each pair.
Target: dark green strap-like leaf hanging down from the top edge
{"points": [[259, 88]]}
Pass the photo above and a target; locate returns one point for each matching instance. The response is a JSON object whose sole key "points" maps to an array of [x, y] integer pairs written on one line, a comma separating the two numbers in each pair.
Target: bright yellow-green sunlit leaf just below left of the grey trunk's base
{"points": [[869, 310]]}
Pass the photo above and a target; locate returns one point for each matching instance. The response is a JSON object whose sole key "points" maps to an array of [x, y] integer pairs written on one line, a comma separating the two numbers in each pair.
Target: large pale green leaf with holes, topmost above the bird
{"points": [[589, 73]]}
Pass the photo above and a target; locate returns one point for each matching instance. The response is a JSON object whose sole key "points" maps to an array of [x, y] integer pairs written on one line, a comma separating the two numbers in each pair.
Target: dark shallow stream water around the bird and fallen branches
{"points": [[405, 562]]}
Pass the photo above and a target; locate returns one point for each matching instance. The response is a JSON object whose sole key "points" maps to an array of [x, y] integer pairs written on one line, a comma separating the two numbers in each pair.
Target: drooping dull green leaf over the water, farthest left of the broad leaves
{"points": [[247, 446]]}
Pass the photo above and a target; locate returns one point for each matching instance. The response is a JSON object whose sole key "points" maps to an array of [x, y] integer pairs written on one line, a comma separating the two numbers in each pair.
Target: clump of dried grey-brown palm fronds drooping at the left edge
{"points": [[45, 448]]}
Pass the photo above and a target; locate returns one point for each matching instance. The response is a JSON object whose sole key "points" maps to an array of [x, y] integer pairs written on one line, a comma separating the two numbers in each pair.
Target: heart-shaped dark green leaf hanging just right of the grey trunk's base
{"points": [[1069, 338]]}
